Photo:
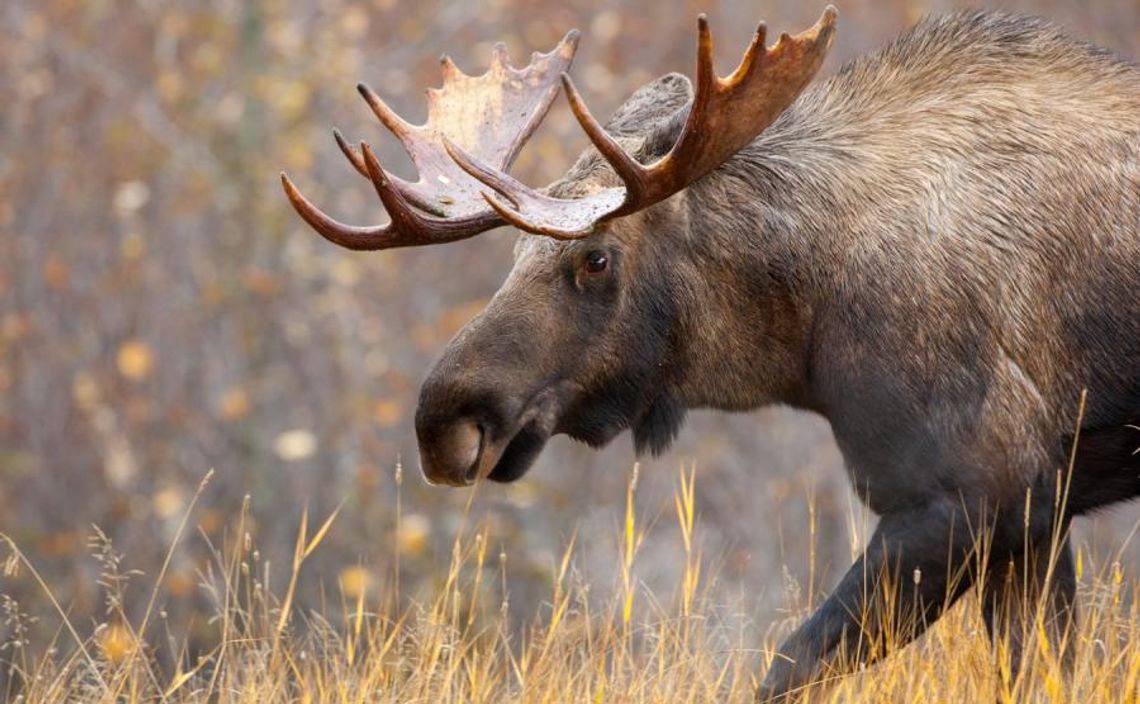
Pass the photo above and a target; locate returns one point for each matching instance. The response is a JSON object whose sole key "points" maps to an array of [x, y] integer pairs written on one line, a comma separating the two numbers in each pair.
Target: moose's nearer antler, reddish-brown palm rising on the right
{"points": [[726, 116]]}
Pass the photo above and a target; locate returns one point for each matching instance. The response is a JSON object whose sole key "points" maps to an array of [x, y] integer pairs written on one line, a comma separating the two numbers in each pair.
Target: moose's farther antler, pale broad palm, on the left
{"points": [[488, 117]]}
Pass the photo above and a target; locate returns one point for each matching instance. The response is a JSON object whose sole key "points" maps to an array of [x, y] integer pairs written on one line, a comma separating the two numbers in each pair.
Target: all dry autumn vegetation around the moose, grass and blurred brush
{"points": [[164, 312]]}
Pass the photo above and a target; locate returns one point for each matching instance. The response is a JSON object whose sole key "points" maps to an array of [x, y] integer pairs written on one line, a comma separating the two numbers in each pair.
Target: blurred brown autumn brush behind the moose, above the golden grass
{"points": [[165, 313]]}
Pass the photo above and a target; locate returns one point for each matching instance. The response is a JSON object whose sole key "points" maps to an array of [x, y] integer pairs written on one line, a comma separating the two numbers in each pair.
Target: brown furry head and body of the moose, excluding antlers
{"points": [[938, 250]]}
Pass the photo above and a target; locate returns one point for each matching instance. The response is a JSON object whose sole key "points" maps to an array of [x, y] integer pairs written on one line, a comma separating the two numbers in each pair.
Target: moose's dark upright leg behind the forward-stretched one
{"points": [[1023, 587]]}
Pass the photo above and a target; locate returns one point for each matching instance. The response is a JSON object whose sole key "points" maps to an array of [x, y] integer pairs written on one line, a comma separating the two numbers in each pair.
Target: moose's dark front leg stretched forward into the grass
{"points": [[910, 571]]}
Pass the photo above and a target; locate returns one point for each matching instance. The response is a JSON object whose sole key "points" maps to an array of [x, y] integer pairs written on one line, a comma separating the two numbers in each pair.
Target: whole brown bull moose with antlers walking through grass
{"points": [[937, 249]]}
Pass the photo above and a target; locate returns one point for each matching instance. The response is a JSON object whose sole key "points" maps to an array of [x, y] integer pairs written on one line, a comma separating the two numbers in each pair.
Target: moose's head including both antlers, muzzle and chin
{"points": [[617, 313]]}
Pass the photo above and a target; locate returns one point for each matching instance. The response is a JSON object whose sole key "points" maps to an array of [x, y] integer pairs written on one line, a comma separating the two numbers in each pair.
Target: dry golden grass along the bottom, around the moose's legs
{"points": [[628, 645]]}
